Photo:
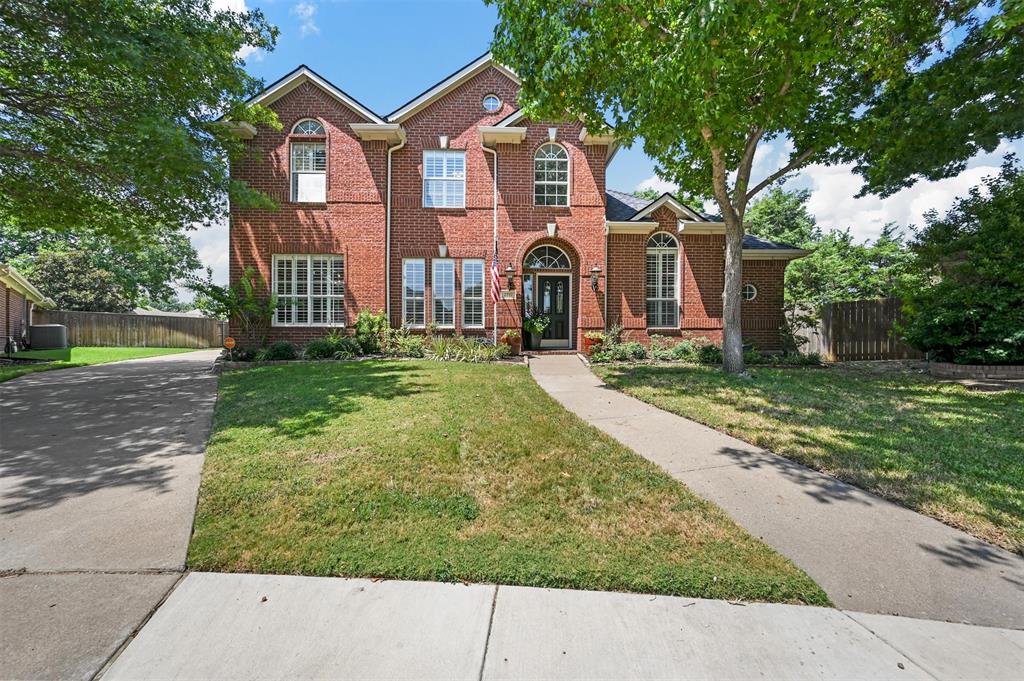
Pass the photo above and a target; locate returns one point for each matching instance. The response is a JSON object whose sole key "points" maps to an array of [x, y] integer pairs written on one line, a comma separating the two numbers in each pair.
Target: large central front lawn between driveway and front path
{"points": [[450, 472]]}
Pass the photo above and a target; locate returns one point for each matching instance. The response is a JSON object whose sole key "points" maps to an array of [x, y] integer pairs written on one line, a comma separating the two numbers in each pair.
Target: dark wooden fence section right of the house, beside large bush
{"points": [[859, 330]]}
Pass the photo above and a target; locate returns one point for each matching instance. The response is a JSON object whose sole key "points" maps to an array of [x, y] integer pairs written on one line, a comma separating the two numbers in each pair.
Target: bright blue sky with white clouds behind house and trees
{"points": [[383, 53]]}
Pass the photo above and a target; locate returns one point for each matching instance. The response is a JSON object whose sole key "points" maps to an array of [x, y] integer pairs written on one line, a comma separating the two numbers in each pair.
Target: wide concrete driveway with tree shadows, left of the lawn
{"points": [[100, 471]]}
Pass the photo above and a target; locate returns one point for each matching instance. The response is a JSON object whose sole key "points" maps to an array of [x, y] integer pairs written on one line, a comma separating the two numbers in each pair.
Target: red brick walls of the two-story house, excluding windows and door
{"points": [[353, 222]]}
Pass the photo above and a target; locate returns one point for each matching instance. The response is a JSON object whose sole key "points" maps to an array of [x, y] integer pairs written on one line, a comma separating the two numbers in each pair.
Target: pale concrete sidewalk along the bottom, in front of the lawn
{"points": [[266, 627]]}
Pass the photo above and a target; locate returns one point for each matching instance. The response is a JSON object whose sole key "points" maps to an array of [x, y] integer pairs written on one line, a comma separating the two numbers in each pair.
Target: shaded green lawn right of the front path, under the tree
{"points": [[937, 448]]}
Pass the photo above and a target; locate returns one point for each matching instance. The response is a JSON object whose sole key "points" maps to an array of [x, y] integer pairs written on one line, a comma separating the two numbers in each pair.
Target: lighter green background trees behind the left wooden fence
{"points": [[143, 276]]}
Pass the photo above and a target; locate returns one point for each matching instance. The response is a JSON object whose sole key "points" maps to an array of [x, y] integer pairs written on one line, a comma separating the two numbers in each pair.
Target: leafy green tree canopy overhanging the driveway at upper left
{"points": [[109, 113]]}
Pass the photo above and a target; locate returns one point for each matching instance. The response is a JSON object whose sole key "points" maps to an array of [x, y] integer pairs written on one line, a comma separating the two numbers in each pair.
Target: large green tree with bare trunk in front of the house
{"points": [[705, 83]]}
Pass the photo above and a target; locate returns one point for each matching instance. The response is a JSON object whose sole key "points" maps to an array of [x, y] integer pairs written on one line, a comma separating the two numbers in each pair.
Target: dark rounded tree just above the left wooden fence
{"points": [[75, 283]]}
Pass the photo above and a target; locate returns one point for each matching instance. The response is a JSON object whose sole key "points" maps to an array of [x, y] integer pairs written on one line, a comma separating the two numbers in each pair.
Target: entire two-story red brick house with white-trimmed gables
{"points": [[403, 214]]}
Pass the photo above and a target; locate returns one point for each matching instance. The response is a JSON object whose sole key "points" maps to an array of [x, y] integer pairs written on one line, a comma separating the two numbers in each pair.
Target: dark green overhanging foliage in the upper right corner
{"points": [[968, 100]]}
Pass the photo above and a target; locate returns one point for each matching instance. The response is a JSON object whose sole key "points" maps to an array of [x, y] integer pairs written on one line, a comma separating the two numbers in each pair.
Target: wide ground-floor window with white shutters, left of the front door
{"points": [[311, 290]]}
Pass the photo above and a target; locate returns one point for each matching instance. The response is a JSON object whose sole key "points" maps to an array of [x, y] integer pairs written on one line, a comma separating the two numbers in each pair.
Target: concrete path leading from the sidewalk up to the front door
{"points": [[869, 555]]}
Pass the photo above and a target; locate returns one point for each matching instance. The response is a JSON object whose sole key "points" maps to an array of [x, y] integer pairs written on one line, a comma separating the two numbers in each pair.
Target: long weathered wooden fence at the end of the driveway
{"points": [[112, 330]]}
